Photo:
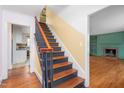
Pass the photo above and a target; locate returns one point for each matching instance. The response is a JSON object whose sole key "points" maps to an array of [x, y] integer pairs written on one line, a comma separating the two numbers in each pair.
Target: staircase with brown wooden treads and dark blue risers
{"points": [[64, 76]]}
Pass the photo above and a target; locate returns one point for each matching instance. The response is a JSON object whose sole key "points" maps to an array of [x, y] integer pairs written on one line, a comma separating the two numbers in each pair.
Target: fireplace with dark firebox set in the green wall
{"points": [[110, 52]]}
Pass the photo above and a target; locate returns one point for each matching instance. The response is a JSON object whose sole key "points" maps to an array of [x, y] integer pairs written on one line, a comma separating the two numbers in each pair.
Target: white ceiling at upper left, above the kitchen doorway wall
{"points": [[32, 10]]}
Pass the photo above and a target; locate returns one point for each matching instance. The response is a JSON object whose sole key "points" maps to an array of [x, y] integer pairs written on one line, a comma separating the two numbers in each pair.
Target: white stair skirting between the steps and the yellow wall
{"points": [[81, 72]]}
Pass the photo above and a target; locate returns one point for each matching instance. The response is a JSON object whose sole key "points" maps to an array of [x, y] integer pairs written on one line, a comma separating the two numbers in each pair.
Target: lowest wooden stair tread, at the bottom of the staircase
{"points": [[71, 83]]}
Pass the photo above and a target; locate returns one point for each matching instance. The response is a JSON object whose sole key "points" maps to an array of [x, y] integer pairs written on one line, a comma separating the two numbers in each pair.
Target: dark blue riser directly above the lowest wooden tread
{"points": [[61, 80]]}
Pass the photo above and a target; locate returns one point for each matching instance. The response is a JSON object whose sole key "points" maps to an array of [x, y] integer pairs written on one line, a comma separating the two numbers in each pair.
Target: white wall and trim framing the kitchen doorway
{"points": [[15, 18]]}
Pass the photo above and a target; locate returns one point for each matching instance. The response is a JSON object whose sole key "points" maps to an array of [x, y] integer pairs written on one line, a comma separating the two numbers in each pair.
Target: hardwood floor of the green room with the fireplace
{"points": [[106, 72]]}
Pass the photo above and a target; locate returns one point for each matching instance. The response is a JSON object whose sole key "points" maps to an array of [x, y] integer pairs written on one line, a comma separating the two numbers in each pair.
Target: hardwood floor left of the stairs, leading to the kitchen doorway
{"points": [[21, 78]]}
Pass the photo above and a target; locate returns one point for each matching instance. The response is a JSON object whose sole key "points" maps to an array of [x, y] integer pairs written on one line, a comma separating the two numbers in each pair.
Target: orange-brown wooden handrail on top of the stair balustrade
{"points": [[49, 48]]}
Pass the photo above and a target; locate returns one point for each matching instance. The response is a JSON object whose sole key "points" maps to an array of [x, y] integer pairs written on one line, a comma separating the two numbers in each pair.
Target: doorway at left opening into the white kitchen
{"points": [[20, 43]]}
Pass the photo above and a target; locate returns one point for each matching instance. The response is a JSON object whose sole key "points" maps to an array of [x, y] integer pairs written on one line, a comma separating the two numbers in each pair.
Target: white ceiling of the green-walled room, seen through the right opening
{"points": [[110, 19]]}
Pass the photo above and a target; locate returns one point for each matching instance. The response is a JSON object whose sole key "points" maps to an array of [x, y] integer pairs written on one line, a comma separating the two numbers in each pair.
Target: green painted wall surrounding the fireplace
{"points": [[111, 40]]}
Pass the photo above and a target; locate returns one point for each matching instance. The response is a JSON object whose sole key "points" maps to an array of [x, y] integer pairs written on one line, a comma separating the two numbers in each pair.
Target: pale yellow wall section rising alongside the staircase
{"points": [[72, 39]]}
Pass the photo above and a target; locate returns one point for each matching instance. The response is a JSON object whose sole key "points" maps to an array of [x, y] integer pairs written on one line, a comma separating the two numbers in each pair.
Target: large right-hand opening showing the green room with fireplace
{"points": [[106, 48]]}
